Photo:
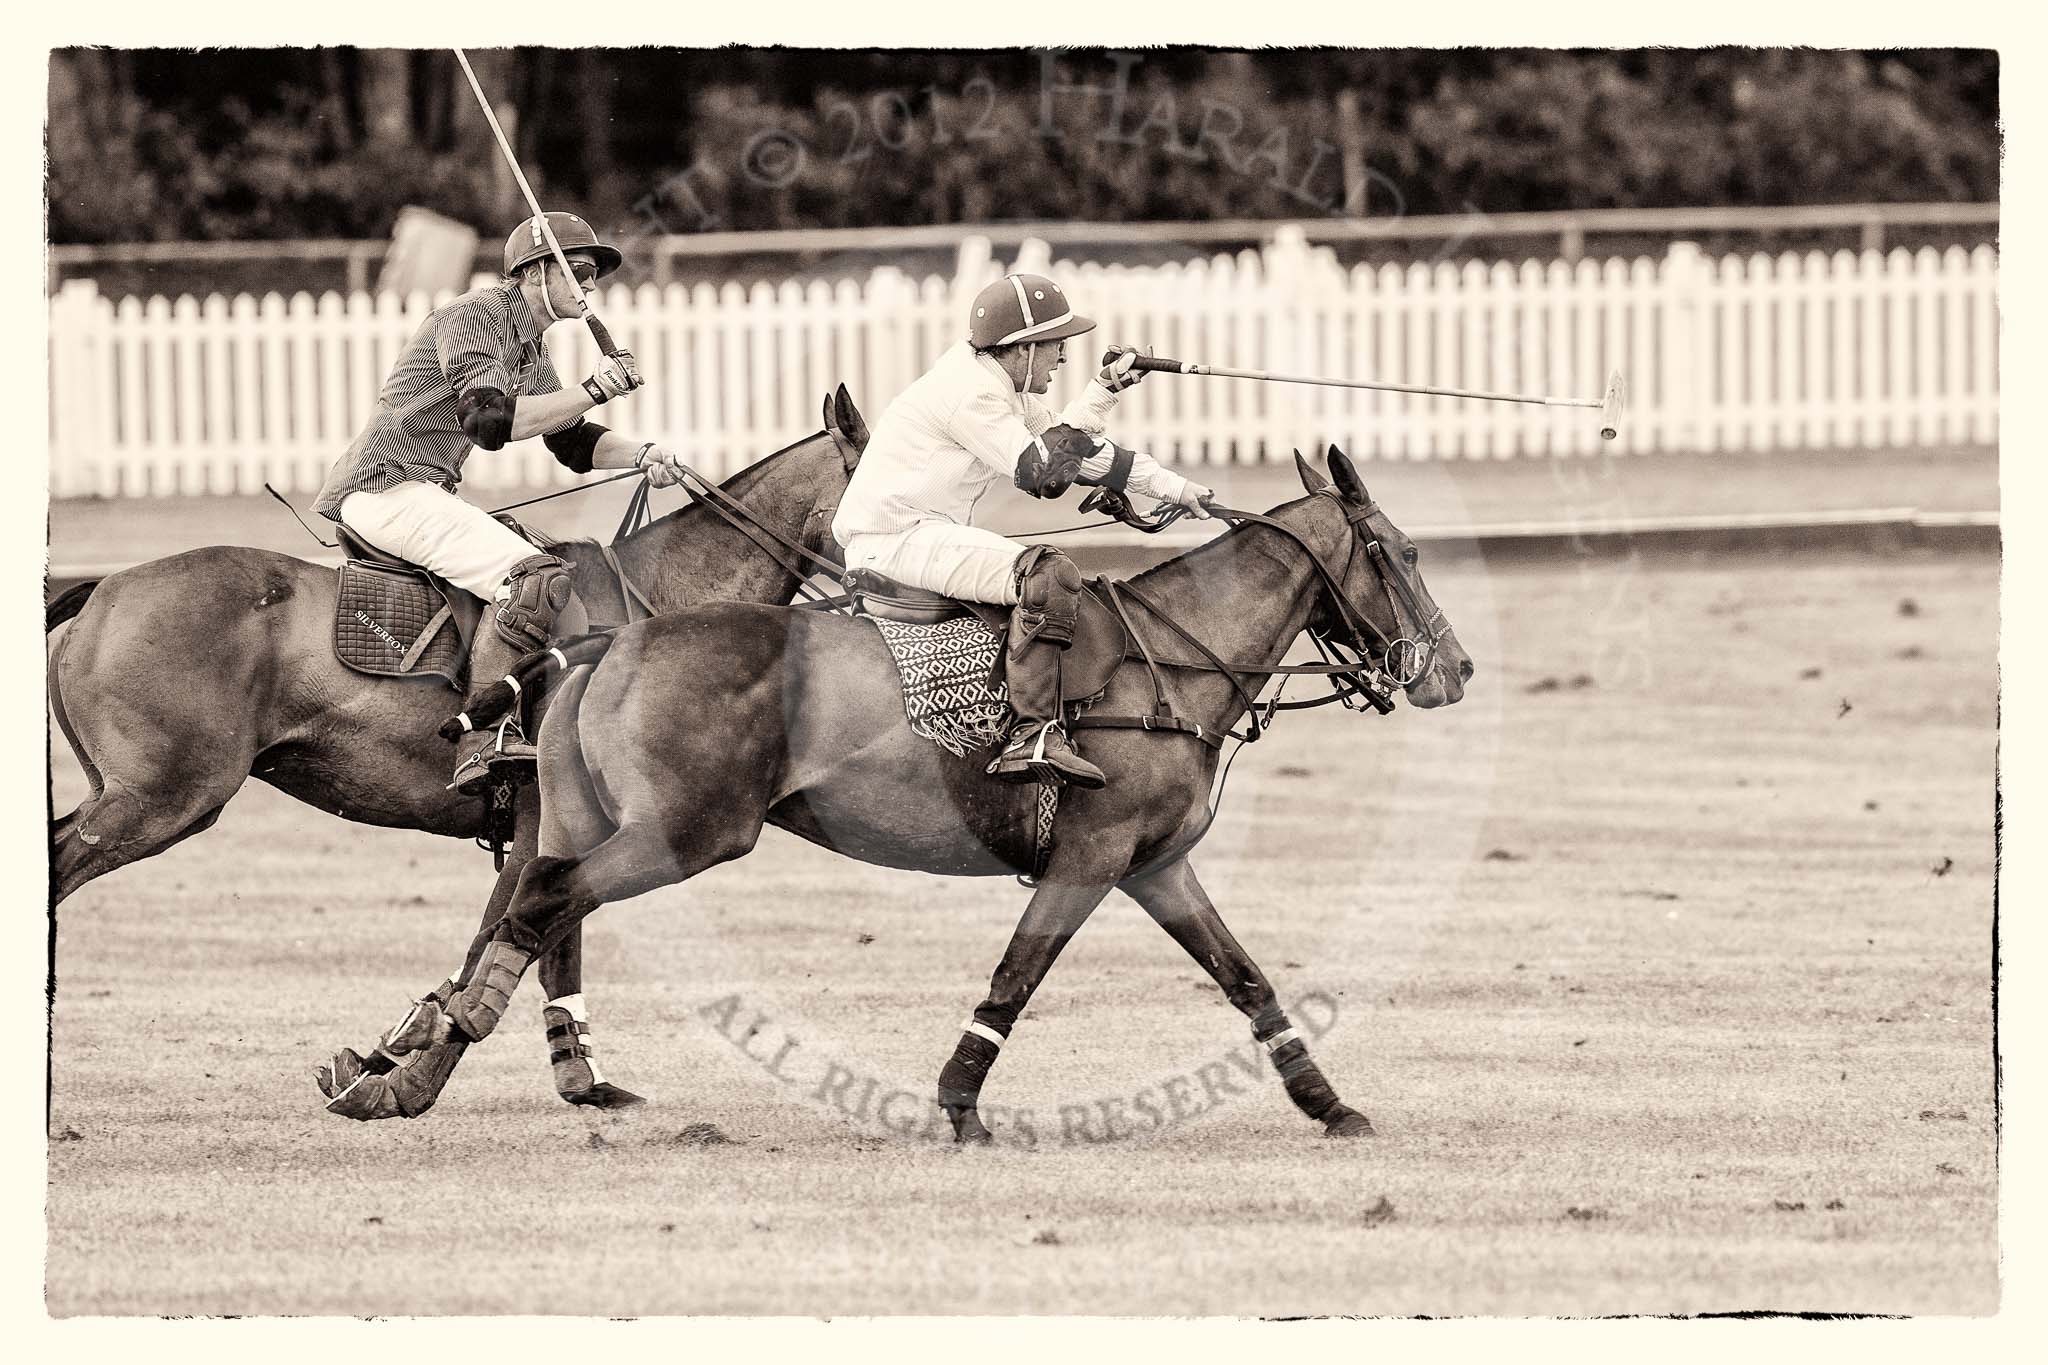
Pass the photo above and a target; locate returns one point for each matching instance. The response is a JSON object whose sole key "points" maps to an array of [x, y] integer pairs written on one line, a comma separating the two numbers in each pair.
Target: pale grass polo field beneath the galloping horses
{"points": [[1662, 965]]}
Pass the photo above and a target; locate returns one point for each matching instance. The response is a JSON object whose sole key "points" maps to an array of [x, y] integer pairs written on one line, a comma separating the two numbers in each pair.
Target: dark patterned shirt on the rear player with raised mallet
{"points": [[484, 341]]}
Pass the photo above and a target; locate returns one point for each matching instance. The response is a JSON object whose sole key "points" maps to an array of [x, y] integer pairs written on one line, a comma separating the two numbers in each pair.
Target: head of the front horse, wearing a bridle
{"points": [[1383, 588]]}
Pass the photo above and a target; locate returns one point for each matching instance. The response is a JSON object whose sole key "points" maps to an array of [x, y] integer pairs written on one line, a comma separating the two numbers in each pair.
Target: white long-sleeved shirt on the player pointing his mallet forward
{"points": [[959, 431]]}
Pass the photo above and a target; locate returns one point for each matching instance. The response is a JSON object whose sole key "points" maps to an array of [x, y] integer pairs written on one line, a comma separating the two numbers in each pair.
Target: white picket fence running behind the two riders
{"points": [[1760, 353]]}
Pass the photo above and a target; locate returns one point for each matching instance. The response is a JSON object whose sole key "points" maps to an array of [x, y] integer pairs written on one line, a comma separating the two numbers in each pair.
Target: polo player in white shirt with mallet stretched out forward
{"points": [[943, 443]]}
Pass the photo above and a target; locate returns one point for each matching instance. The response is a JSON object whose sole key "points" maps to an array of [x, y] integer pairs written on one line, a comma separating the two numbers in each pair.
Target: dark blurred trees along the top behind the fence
{"points": [[161, 144]]}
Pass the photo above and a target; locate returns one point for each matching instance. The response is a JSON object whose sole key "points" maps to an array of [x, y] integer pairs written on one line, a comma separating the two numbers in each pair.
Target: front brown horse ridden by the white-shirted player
{"points": [[798, 719]]}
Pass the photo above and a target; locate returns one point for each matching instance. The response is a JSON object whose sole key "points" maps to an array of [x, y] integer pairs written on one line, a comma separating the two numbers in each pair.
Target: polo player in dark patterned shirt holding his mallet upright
{"points": [[478, 376]]}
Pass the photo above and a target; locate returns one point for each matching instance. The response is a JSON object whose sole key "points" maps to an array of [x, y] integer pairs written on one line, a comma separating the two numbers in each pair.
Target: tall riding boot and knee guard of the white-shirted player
{"points": [[1041, 629]]}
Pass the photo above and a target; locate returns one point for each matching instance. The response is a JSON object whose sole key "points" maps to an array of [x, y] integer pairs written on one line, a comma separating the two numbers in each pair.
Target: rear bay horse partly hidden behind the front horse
{"points": [[185, 676]]}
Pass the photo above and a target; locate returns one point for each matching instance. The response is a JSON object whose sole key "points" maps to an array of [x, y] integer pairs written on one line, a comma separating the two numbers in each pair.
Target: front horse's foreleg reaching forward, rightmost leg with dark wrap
{"points": [[1179, 904]]}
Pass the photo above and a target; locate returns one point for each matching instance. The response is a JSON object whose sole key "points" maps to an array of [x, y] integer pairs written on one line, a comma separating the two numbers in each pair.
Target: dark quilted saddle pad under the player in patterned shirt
{"points": [[400, 621]]}
